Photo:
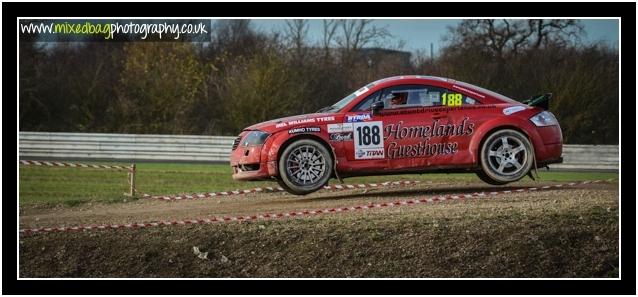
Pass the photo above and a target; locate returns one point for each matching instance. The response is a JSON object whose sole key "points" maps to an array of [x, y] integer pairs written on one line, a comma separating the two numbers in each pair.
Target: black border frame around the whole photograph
{"points": [[627, 12]]}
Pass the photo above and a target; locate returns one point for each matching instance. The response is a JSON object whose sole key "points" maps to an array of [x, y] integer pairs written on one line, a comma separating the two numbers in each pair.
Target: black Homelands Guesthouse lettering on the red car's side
{"points": [[424, 148]]}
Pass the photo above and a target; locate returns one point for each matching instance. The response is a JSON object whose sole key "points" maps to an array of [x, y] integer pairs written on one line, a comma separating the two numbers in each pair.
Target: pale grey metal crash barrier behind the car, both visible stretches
{"points": [[190, 148]]}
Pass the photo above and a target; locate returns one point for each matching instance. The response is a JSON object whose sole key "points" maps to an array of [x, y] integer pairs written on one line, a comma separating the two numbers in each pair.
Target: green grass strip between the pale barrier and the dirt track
{"points": [[73, 186]]}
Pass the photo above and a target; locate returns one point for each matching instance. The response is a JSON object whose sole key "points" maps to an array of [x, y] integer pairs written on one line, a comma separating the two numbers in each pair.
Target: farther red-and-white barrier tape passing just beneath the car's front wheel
{"points": [[271, 189]]}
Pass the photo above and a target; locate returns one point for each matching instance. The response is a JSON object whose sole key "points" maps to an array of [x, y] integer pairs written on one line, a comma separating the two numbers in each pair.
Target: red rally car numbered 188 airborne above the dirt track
{"points": [[404, 124]]}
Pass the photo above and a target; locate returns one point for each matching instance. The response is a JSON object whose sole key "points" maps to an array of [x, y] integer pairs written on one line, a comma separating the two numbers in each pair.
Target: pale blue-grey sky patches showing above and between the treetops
{"points": [[418, 34]]}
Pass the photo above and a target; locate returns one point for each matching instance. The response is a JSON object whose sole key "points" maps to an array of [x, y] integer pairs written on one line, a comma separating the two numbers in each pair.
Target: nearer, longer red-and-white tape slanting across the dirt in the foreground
{"points": [[293, 214]]}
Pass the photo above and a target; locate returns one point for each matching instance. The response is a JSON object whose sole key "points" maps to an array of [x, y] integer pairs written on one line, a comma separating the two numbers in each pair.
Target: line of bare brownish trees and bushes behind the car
{"points": [[244, 76]]}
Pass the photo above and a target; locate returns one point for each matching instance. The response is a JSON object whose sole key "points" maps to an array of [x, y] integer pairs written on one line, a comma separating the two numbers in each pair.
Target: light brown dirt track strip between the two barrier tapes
{"points": [[149, 210]]}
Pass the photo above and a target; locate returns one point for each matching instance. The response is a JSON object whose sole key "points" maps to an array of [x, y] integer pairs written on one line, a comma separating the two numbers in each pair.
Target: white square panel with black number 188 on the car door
{"points": [[368, 140]]}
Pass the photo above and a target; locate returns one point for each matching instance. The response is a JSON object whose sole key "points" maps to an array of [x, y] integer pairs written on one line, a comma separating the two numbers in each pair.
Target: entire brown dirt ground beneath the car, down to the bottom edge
{"points": [[571, 232]]}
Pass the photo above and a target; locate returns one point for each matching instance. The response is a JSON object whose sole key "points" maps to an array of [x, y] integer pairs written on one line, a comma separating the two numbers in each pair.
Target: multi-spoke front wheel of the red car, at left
{"points": [[305, 166]]}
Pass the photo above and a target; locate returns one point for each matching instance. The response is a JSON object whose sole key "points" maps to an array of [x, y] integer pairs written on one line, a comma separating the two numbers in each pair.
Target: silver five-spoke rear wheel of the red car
{"points": [[506, 156]]}
